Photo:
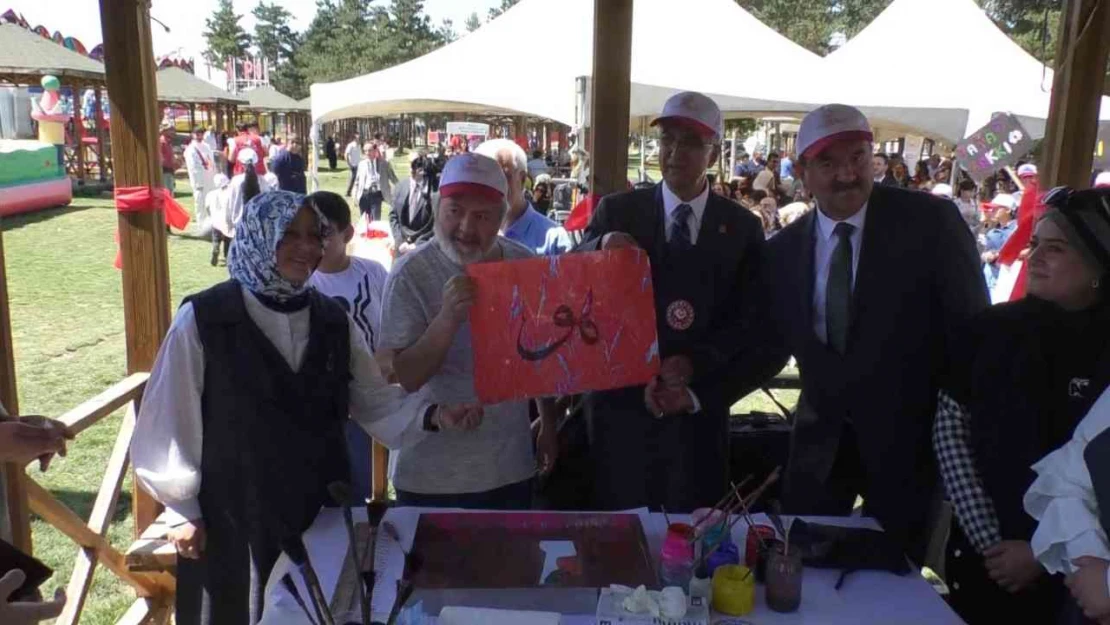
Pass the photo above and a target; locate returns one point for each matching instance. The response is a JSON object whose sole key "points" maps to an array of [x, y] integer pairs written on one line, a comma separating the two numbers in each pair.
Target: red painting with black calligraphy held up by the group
{"points": [[560, 326]]}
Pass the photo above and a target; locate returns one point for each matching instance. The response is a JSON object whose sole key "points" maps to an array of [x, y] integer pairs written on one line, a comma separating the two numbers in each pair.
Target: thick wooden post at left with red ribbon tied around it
{"points": [[129, 61]]}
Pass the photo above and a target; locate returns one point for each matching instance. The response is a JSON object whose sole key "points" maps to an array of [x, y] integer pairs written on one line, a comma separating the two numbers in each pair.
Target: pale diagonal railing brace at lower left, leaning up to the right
{"points": [[103, 509]]}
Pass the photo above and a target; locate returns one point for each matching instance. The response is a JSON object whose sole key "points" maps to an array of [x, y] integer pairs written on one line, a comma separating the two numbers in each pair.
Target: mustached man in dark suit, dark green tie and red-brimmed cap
{"points": [[869, 294]]}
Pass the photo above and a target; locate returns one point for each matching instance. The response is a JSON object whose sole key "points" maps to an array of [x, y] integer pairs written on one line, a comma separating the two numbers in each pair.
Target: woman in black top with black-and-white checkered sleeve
{"points": [[1030, 372]]}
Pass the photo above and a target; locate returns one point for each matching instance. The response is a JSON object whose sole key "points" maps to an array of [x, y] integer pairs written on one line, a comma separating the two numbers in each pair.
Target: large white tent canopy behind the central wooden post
{"points": [[508, 68]]}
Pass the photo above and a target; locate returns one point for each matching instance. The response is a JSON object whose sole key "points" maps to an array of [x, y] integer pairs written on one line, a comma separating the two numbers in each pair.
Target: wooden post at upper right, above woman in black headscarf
{"points": [[1083, 45]]}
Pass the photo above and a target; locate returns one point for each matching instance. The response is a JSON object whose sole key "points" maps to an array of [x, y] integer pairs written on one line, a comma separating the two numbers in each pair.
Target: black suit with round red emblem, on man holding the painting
{"points": [[680, 462]]}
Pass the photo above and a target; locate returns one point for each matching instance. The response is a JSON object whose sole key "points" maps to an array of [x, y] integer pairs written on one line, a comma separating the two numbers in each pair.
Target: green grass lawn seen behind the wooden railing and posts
{"points": [[67, 314]]}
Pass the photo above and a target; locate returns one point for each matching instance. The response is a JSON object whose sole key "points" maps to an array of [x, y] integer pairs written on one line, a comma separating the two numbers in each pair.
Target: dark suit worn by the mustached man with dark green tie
{"points": [[917, 285]]}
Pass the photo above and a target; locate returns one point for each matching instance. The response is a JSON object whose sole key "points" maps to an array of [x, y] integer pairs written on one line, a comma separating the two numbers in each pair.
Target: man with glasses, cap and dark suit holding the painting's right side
{"points": [[668, 445]]}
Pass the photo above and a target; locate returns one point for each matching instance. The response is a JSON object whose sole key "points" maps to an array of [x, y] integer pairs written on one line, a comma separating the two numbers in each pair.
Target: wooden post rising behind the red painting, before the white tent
{"points": [[609, 115]]}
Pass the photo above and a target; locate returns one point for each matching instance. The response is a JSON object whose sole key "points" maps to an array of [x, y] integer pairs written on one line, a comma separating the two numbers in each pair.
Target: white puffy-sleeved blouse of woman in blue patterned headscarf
{"points": [[168, 440]]}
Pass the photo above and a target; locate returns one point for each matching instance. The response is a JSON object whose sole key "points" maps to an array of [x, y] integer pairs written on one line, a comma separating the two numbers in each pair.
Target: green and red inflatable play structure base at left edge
{"points": [[32, 178]]}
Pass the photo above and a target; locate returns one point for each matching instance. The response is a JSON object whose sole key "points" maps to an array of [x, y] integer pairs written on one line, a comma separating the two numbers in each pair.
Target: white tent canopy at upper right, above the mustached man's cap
{"points": [[985, 72]]}
